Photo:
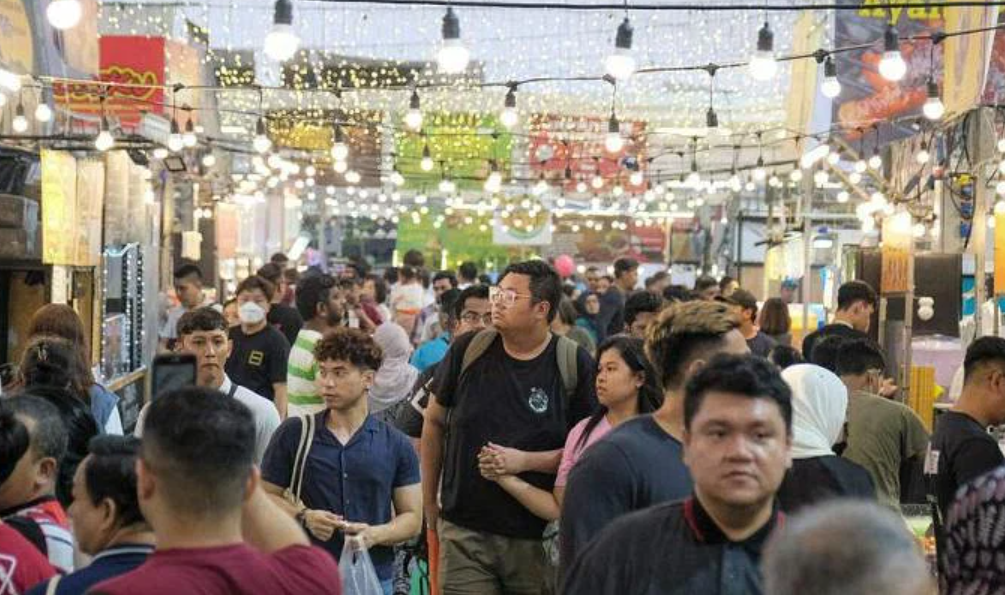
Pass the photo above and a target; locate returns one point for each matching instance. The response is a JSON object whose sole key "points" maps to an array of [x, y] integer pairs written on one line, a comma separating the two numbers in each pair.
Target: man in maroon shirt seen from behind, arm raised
{"points": [[218, 532]]}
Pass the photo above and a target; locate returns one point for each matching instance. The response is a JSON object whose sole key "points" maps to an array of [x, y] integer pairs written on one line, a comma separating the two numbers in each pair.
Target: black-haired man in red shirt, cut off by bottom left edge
{"points": [[22, 564]]}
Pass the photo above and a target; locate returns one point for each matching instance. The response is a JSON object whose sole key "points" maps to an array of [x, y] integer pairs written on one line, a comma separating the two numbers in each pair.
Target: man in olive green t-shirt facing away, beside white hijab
{"points": [[885, 437]]}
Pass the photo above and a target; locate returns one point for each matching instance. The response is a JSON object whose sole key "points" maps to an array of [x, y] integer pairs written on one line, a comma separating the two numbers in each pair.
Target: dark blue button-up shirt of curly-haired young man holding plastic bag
{"points": [[355, 481]]}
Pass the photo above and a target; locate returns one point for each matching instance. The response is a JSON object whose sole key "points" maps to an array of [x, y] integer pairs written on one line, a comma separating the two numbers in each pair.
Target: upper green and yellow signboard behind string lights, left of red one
{"points": [[462, 147]]}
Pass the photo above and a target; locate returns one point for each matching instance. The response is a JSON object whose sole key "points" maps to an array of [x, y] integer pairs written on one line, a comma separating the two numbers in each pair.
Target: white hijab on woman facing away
{"points": [[820, 408]]}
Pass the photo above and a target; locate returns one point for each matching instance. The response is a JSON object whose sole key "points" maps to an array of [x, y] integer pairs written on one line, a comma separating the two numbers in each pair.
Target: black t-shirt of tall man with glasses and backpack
{"points": [[514, 404]]}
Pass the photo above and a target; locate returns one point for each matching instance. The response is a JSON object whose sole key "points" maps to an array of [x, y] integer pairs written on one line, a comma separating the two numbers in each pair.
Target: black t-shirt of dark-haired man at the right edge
{"points": [[961, 450]]}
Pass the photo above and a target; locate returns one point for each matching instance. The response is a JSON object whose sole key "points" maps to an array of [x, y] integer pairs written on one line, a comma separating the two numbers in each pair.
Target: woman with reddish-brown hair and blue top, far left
{"points": [[62, 321]]}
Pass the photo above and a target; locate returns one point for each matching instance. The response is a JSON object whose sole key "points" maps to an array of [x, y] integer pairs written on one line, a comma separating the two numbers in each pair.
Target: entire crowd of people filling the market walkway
{"points": [[525, 435]]}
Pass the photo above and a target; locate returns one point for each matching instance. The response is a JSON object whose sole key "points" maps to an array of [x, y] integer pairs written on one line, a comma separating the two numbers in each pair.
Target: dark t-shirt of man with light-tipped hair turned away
{"points": [[636, 467]]}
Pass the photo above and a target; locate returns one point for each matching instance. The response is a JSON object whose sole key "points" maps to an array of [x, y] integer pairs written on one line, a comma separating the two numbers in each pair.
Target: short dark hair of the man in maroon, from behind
{"points": [[202, 445]]}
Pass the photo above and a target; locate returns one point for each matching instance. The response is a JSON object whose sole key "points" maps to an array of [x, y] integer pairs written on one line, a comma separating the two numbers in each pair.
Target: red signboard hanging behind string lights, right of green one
{"points": [[558, 143]]}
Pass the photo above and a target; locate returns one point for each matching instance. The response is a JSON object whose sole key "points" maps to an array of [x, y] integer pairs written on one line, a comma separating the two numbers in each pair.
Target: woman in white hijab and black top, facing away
{"points": [[820, 409]]}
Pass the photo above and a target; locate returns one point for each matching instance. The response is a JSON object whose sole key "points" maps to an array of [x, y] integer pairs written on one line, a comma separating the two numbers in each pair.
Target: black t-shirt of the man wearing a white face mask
{"points": [[259, 361]]}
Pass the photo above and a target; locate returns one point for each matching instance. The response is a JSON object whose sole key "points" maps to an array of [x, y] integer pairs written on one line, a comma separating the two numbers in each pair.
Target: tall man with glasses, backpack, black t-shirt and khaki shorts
{"points": [[517, 387]]}
